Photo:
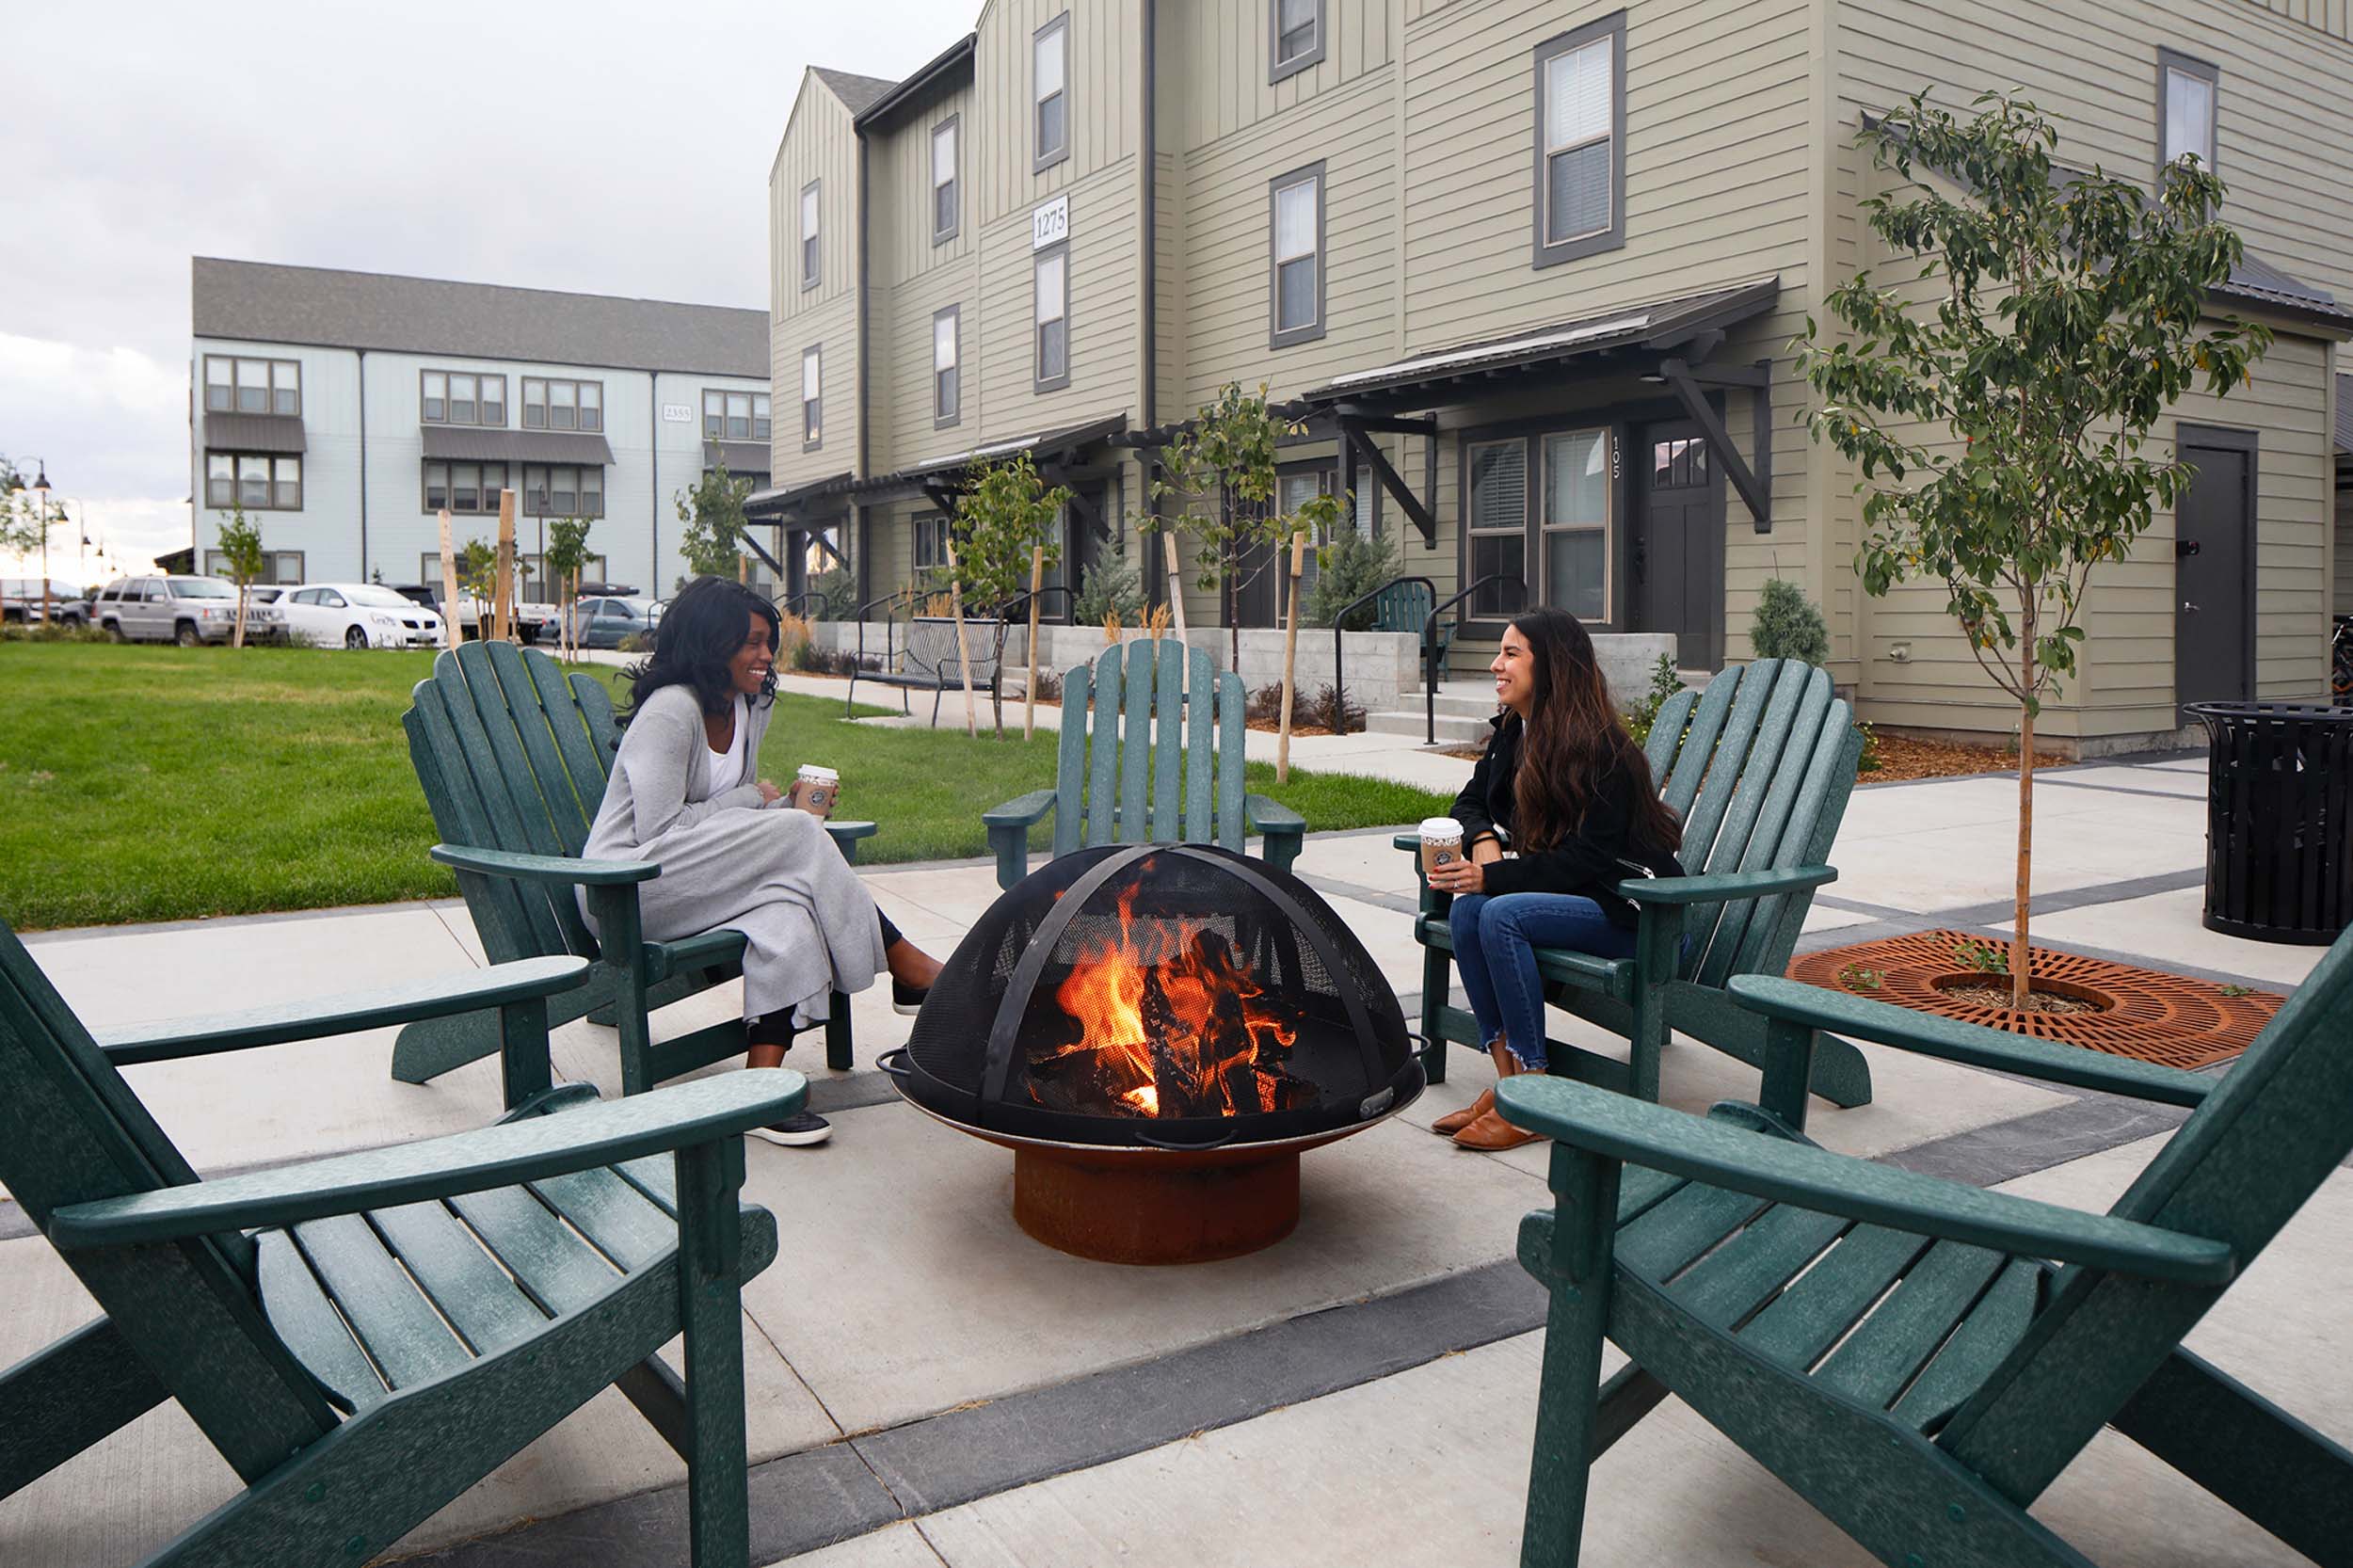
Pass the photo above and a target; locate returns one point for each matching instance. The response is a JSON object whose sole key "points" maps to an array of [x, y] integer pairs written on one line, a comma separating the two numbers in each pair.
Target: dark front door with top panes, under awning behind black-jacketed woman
{"points": [[1679, 543]]}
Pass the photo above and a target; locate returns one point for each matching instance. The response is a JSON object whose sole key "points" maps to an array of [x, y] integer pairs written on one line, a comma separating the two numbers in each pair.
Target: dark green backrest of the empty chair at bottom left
{"points": [[72, 1131]]}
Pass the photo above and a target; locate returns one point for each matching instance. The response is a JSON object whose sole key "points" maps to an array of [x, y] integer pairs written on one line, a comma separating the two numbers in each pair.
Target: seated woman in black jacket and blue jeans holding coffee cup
{"points": [[1571, 790]]}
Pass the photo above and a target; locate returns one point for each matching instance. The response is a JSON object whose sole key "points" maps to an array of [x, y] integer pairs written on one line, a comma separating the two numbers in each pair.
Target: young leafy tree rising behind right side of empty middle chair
{"points": [[1227, 458]]}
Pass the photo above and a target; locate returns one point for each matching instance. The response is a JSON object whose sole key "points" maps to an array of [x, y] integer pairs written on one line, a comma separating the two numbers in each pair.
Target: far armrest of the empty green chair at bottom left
{"points": [[324, 1016]]}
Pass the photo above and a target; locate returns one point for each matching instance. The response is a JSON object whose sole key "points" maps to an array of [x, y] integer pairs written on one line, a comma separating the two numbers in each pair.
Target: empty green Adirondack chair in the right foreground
{"points": [[1919, 1357]]}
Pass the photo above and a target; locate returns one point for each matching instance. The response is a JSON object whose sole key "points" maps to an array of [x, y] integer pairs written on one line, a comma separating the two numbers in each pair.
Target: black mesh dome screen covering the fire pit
{"points": [[1161, 995]]}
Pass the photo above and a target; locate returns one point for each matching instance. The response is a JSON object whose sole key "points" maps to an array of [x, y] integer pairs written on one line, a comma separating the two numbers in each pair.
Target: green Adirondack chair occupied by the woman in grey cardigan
{"points": [[514, 764]]}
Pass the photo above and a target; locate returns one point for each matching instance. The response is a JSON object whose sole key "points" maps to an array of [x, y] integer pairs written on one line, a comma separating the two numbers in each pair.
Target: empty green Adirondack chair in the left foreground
{"points": [[368, 1336]]}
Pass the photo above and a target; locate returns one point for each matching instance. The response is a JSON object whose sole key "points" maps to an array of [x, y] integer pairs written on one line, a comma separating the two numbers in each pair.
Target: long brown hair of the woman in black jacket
{"points": [[1573, 740]]}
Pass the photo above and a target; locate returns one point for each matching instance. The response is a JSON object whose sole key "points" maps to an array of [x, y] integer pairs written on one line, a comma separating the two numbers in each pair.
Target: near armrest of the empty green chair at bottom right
{"points": [[1806, 1176]]}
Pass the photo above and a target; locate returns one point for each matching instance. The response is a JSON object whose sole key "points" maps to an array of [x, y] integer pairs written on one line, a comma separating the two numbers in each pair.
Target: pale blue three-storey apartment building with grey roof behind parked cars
{"points": [[345, 411]]}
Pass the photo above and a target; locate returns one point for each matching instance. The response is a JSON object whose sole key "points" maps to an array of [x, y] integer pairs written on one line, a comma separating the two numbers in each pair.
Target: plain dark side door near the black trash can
{"points": [[2215, 569]]}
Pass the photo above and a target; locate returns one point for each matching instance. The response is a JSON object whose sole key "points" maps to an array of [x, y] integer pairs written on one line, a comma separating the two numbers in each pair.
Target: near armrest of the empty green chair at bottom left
{"points": [[505, 1155]]}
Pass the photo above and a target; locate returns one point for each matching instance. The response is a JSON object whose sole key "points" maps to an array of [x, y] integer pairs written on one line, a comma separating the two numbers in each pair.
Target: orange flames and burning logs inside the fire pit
{"points": [[1175, 1023]]}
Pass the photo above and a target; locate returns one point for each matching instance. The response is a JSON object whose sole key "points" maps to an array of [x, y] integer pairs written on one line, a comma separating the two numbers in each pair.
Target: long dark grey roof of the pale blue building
{"points": [[338, 310]]}
